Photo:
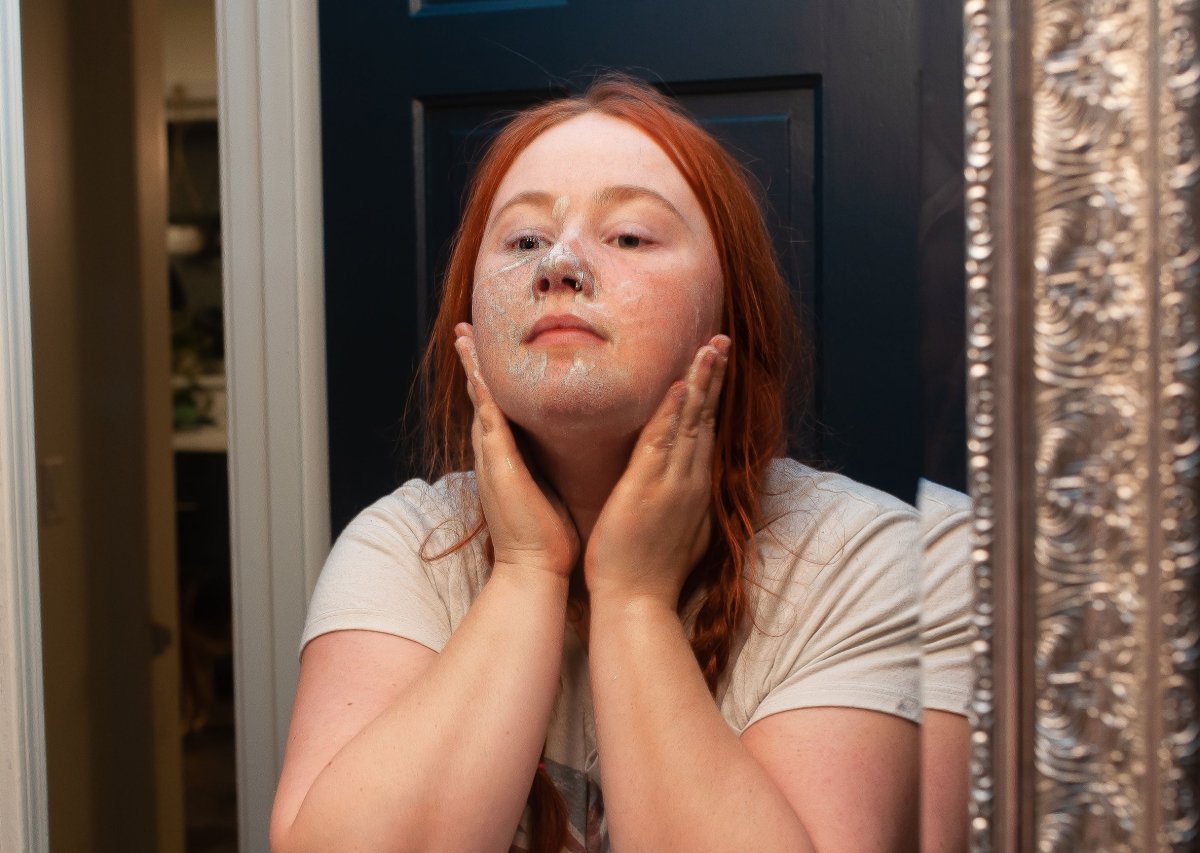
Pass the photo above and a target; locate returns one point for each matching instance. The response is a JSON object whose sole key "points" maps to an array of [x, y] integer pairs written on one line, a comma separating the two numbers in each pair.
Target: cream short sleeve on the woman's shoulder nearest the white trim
{"points": [[376, 579]]}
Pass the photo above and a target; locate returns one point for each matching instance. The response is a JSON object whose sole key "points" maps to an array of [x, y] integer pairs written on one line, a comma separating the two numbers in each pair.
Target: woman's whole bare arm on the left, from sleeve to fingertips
{"points": [[395, 748]]}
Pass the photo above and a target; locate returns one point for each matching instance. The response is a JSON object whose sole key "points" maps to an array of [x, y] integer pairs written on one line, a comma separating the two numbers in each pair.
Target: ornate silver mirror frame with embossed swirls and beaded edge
{"points": [[1084, 359]]}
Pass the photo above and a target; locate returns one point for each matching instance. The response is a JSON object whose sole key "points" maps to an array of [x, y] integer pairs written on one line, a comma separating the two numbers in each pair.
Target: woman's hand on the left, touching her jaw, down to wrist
{"points": [[529, 525]]}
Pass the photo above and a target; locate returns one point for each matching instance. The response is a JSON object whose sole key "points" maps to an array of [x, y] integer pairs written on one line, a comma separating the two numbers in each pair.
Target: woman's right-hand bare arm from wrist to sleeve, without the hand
{"points": [[677, 777]]}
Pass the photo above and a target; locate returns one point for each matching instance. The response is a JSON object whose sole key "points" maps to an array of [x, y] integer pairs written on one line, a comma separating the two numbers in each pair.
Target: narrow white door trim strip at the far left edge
{"points": [[25, 821]]}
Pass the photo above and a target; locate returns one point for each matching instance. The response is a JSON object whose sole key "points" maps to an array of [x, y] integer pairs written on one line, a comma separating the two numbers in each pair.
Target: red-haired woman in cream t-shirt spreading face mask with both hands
{"points": [[613, 617]]}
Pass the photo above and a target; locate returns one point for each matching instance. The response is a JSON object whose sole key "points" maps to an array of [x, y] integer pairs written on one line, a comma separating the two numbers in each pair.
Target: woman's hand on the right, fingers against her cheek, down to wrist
{"points": [[657, 522]]}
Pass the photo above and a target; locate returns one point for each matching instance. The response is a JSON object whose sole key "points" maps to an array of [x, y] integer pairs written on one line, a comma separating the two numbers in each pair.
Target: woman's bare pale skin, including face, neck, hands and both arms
{"points": [[397, 748]]}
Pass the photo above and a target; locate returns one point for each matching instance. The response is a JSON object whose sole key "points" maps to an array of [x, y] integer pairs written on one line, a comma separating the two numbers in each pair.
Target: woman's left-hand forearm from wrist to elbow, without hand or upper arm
{"points": [[448, 766]]}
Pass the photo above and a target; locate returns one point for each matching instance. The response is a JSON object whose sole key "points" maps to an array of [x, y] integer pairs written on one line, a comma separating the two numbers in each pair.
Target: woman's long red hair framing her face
{"points": [[759, 319]]}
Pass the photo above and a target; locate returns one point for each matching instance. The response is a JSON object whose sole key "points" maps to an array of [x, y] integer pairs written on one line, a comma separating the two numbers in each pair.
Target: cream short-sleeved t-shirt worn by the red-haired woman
{"points": [[833, 603]]}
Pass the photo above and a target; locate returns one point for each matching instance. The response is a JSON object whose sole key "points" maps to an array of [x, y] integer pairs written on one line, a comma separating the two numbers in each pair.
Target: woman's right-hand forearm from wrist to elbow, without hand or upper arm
{"points": [[675, 774]]}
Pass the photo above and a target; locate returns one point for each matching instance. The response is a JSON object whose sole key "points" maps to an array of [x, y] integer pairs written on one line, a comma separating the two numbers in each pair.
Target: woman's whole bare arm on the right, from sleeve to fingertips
{"points": [[676, 777]]}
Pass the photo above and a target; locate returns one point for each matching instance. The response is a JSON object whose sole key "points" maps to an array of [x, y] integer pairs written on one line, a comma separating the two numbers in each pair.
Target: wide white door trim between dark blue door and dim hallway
{"points": [[269, 122]]}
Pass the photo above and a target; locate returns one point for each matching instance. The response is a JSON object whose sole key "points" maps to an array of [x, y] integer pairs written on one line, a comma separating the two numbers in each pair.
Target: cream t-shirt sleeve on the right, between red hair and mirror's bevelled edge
{"points": [[837, 617]]}
